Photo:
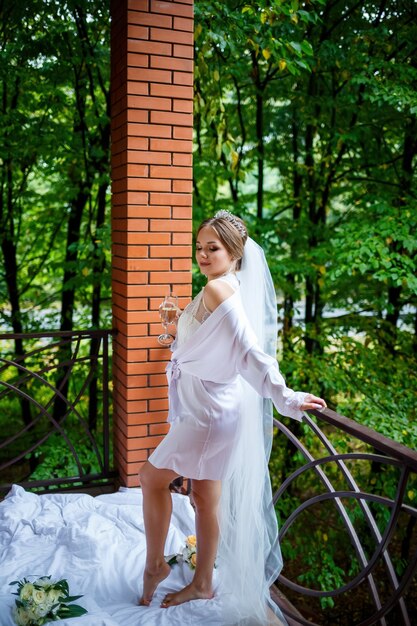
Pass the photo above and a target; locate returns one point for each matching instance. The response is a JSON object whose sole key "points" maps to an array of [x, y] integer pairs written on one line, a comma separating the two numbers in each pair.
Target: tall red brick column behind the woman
{"points": [[152, 99]]}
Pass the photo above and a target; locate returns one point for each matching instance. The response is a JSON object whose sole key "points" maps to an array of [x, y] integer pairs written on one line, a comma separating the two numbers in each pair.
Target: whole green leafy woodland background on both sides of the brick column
{"points": [[305, 126]]}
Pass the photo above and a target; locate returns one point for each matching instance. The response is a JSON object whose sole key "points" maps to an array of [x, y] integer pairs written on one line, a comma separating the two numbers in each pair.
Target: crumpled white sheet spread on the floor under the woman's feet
{"points": [[98, 545]]}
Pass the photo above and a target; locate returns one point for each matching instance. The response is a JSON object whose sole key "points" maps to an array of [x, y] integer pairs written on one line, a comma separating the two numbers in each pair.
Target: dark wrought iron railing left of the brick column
{"points": [[58, 386]]}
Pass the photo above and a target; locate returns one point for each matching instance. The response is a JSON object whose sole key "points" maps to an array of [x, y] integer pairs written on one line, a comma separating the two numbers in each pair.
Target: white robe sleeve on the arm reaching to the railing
{"points": [[262, 373]]}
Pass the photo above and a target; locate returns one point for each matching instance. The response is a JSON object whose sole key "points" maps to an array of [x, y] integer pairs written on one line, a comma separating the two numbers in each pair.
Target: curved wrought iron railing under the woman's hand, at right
{"points": [[363, 494]]}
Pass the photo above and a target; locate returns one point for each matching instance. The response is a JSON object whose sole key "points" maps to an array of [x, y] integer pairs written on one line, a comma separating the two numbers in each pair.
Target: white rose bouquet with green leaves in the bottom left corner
{"points": [[43, 601]]}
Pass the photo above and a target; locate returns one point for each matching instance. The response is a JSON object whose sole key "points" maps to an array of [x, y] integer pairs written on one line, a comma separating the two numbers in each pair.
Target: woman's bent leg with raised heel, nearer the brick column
{"points": [[157, 509]]}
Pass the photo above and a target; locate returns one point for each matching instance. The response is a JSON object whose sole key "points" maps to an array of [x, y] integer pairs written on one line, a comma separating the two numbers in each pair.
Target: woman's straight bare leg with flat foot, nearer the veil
{"points": [[206, 495]]}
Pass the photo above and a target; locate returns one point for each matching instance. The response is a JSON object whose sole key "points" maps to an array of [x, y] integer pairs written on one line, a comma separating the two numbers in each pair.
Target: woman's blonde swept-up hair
{"points": [[231, 231]]}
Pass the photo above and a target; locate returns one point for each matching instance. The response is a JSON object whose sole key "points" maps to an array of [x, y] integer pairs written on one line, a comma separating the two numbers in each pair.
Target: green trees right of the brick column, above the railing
{"points": [[305, 126]]}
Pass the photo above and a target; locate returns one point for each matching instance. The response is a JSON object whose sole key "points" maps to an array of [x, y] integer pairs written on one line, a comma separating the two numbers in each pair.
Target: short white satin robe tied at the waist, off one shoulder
{"points": [[205, 392]]}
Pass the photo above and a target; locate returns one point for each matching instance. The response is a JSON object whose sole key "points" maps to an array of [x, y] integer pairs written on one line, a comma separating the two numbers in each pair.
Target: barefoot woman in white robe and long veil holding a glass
{"points": [[221, 430]]}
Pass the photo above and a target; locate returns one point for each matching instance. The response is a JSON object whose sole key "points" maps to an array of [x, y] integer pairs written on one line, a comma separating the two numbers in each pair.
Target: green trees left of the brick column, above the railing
{"points": [[54, 156]]}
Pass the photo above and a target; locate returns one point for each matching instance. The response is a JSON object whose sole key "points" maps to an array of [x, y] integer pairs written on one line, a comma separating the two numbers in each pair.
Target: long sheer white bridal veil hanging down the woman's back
{"points": [[249, 556]]}
